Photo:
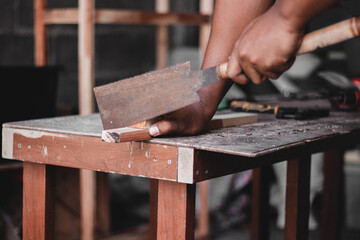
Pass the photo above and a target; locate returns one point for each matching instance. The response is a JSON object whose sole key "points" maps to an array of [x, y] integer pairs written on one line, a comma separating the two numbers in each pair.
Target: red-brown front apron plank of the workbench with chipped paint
{"points": [[133, 158]]}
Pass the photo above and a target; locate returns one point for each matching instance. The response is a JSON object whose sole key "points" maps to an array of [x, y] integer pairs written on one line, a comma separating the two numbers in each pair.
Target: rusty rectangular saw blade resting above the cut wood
{"points": [[149, 95]]}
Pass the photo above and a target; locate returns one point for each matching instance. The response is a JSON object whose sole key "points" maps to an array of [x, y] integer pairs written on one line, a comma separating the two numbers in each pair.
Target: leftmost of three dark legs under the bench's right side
{"points": [[260, 204]]}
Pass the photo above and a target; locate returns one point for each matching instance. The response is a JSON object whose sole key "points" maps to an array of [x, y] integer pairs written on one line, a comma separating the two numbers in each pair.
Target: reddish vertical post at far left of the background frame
{"points": [[40, 33]]}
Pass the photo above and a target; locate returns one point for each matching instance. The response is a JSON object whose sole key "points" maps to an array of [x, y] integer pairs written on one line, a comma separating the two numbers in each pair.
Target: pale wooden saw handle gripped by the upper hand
{"points": [[321, 38]]}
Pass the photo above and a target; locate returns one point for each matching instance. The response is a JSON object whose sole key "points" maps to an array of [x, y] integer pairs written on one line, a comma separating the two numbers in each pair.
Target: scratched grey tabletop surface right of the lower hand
{"points": [[268, 135]]}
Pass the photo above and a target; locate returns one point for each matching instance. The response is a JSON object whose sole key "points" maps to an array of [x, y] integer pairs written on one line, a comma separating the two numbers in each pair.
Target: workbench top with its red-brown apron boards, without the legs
{"points": [[75, 141]]}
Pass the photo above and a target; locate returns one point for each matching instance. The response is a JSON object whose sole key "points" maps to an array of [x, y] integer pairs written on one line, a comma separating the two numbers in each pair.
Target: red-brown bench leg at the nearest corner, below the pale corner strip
{"points": [[176, 211]]}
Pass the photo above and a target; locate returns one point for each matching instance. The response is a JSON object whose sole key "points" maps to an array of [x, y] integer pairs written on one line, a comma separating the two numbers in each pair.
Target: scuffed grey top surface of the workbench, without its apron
{"points": [[250, 140]]}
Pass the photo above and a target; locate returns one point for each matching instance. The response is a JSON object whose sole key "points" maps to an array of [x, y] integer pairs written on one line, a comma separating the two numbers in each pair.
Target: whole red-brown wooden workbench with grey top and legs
{"points": [[175, 164]]}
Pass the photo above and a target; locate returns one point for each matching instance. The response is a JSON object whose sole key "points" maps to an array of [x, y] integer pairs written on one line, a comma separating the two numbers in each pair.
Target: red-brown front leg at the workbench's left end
{"points": [[38, 202]]}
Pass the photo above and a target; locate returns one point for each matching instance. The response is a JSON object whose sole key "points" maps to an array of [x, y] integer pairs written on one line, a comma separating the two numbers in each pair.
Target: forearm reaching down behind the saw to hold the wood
{"points": [[229, 20]]}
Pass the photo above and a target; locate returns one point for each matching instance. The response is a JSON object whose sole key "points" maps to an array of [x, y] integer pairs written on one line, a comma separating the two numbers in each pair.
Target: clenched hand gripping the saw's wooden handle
{"points": [[266, 48]]}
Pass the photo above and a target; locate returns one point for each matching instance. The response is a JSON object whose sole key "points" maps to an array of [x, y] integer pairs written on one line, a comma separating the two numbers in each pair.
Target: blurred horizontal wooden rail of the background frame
{"points": [[111, 16]]}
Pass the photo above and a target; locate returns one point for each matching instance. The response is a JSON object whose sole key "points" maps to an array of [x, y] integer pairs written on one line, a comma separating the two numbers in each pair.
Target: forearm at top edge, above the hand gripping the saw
{"points": [[299, 12]]}
